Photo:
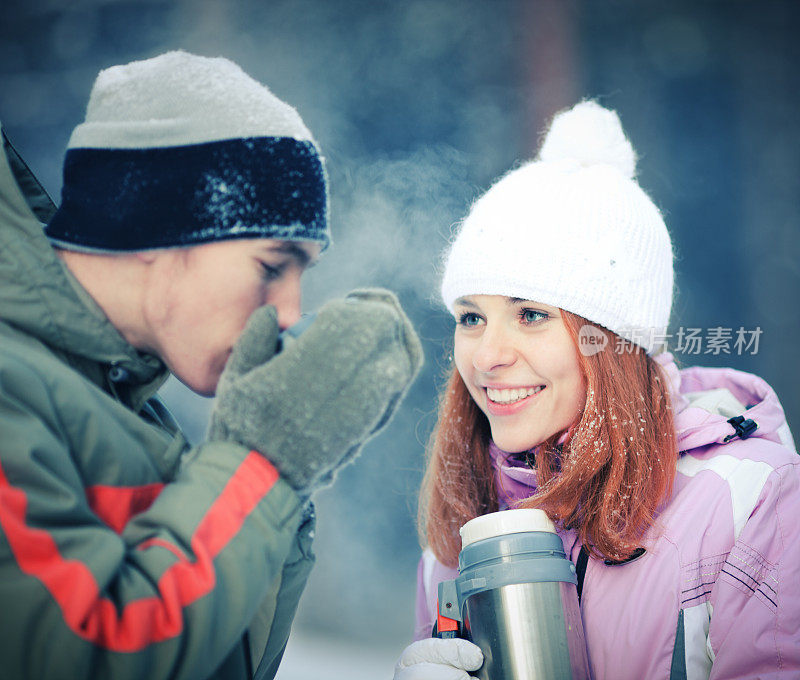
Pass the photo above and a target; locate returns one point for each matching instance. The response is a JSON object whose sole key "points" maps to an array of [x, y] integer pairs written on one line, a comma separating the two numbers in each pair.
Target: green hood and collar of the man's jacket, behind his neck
{"points": [[40, 297]]}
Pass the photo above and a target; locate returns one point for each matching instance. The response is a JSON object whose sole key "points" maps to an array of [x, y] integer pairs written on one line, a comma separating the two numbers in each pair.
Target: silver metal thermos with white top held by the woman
{"points": [[516, 598]]}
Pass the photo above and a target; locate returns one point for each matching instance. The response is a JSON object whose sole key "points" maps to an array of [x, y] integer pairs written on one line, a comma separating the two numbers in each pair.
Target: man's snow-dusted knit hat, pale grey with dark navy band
{"points": [[179, 150]]}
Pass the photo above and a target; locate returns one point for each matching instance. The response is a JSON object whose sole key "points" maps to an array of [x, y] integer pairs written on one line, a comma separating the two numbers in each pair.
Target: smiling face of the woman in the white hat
{"points": [[520, 366]]}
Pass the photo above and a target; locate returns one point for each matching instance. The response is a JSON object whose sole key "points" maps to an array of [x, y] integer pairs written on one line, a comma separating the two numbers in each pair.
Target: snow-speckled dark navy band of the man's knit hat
{"points": [[138, 199]]}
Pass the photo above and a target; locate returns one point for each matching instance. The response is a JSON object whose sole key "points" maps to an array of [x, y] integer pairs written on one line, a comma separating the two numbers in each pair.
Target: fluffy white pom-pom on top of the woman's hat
{"points": [[590, 135]]}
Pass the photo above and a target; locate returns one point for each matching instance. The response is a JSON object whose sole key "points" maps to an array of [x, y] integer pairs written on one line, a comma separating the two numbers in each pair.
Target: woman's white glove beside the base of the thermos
{"points": [[435, 659]]}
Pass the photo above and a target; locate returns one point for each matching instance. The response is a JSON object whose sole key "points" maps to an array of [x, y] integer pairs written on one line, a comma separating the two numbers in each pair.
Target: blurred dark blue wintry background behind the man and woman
{"points": [[418, 105]]}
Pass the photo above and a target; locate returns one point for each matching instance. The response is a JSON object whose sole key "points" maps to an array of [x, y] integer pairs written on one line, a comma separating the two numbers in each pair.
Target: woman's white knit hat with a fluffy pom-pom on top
{"points": [[571, 229]]}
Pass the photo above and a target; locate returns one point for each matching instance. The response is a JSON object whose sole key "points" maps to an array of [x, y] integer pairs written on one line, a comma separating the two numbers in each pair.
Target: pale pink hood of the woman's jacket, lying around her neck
{"points": [[703, 399]]}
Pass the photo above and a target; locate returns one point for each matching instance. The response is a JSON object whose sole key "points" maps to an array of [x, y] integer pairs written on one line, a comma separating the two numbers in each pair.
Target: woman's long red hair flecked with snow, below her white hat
{"points": [[607, 481]]}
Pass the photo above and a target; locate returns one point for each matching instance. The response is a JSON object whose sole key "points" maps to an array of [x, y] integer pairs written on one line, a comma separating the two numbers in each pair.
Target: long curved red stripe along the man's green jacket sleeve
{"points": [[151, 619]]}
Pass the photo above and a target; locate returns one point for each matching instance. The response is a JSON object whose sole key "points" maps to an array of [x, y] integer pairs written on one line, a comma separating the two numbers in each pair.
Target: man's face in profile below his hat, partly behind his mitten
{"points": [[199, 299]]}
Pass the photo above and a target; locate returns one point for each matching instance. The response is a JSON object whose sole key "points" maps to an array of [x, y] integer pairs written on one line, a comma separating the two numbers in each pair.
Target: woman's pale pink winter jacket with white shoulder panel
{"points": [[717, 594]]}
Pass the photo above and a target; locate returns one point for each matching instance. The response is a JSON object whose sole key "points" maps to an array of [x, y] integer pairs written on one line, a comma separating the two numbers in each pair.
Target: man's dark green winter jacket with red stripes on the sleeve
{"points": [[124, 553]]}
